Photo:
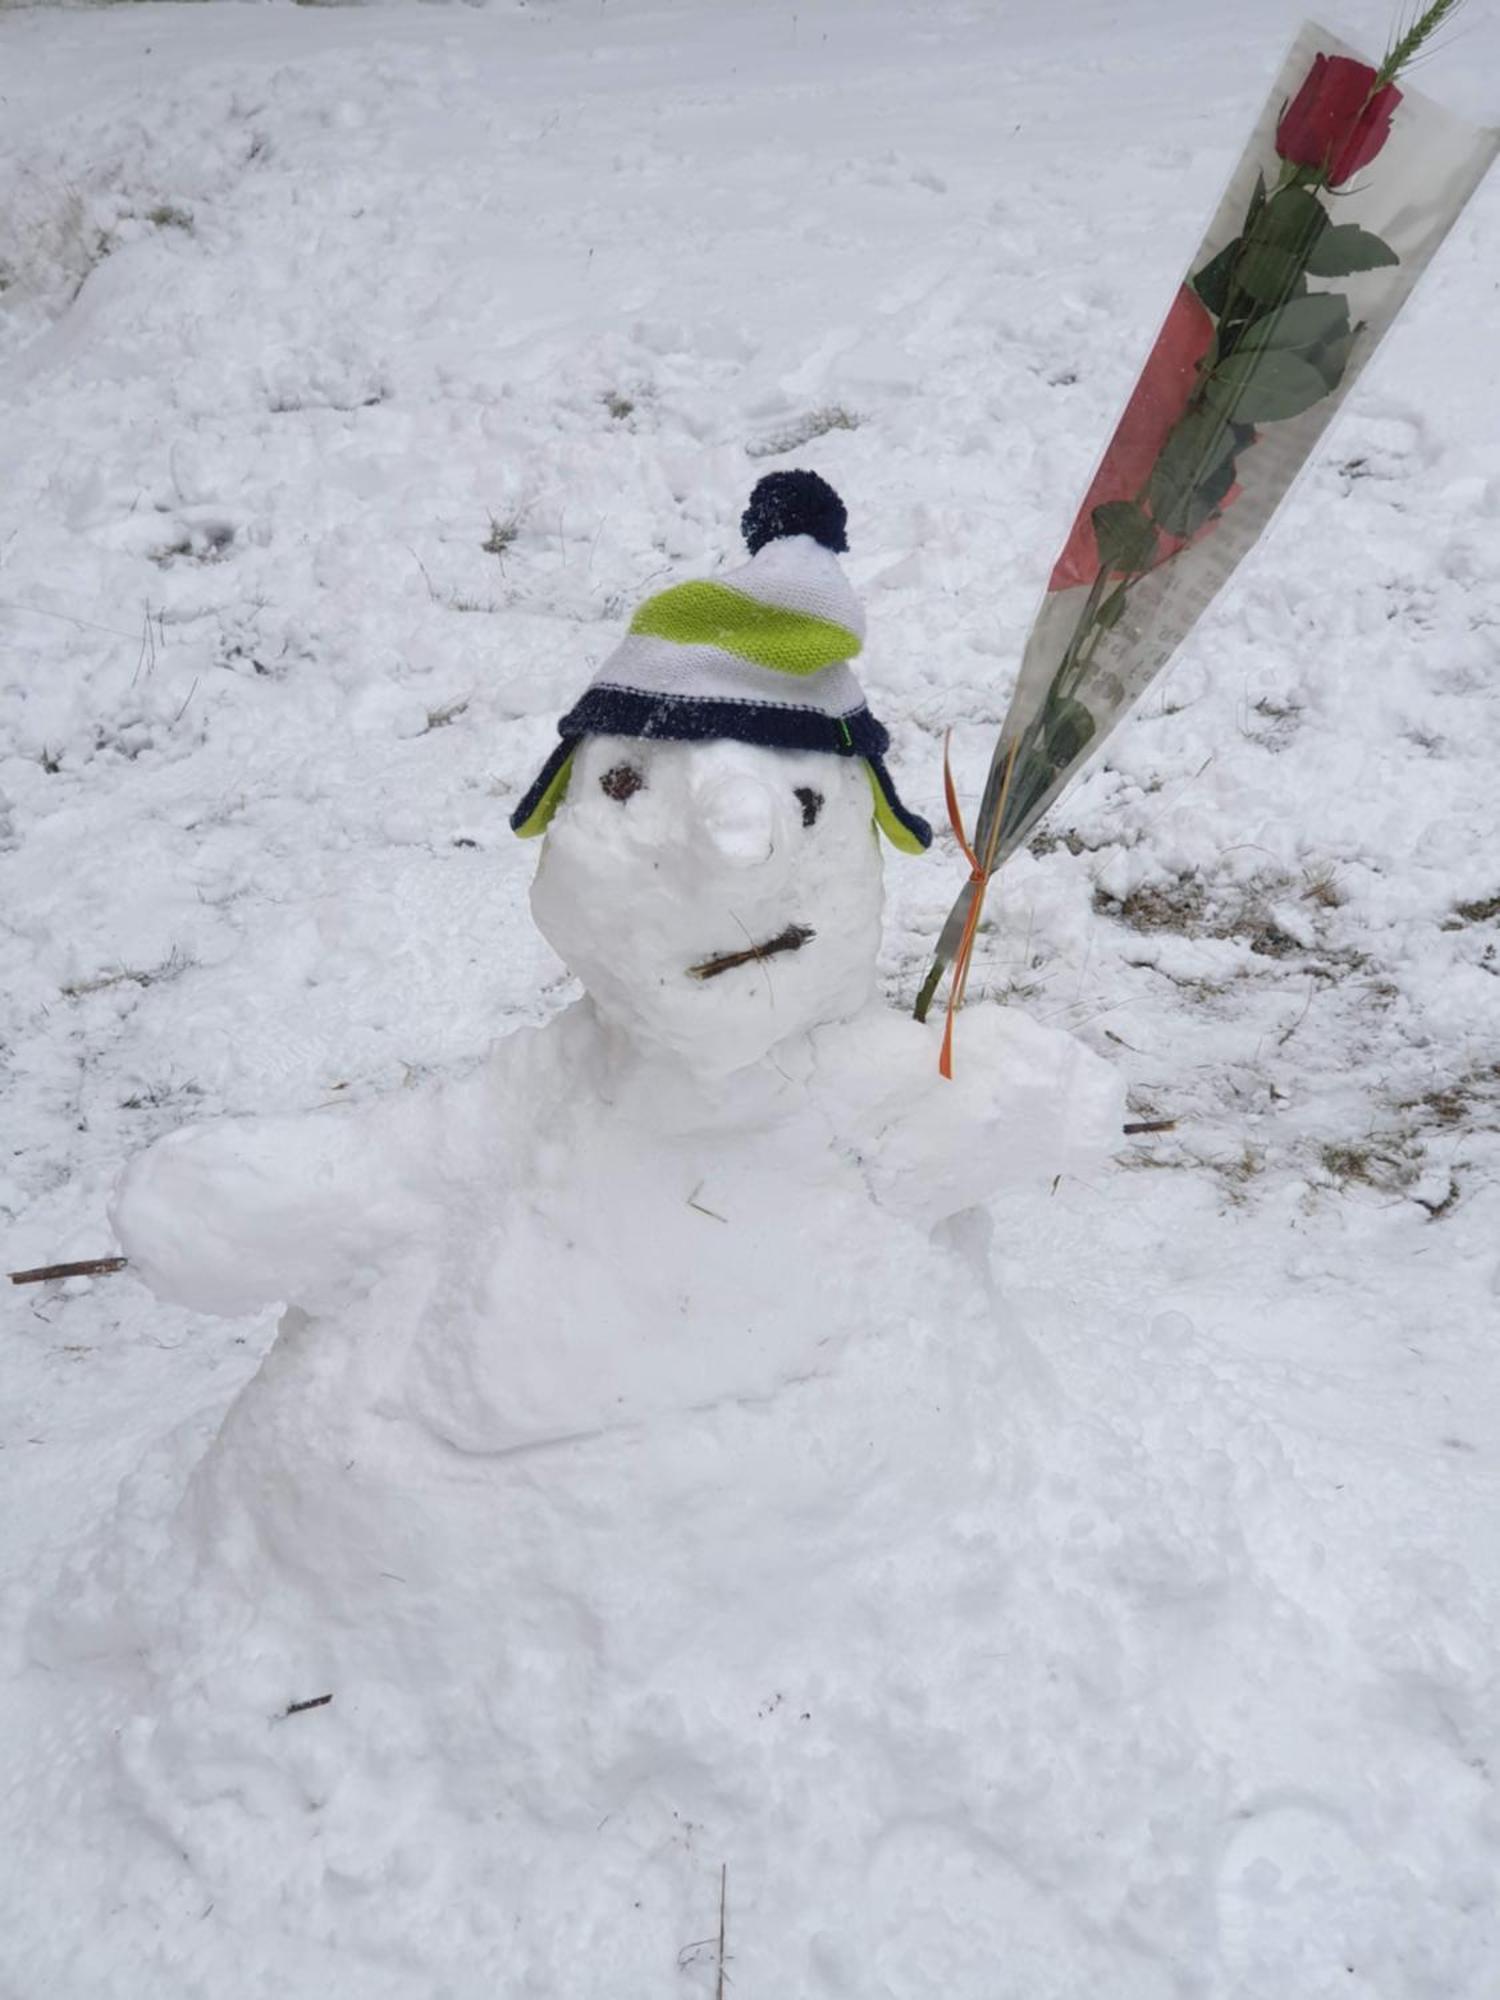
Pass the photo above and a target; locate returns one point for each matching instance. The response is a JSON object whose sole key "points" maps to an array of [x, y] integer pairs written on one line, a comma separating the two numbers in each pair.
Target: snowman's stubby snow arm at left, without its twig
{"points": [[241, 1213]]}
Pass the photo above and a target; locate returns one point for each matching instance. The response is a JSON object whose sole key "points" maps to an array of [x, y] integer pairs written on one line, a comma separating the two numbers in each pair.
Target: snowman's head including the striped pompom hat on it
{"points": [[711, 869]]}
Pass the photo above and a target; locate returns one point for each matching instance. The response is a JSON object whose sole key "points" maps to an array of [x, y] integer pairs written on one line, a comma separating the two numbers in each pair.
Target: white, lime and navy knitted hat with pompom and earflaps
{"points": [[759, 657]]}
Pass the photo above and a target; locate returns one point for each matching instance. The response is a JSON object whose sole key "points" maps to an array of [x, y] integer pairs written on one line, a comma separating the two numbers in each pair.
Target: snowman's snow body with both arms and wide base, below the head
{"points": [[617, 1407]]}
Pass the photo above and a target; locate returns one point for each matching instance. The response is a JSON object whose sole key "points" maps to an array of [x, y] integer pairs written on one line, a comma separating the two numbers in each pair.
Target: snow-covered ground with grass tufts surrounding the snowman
{"points": [[359, 371]]}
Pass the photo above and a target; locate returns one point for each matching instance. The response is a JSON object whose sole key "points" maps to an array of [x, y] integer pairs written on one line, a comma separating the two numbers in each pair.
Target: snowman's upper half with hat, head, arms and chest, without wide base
{"points": [[711, 873]]}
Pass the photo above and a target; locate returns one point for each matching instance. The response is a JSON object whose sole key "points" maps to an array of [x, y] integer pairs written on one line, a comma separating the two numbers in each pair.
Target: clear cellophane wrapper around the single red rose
{"points": [[1409, 197]]}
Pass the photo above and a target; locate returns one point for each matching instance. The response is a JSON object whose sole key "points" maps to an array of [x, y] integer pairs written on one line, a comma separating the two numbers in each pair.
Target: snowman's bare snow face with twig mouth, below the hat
{"points": [[717, 897]]}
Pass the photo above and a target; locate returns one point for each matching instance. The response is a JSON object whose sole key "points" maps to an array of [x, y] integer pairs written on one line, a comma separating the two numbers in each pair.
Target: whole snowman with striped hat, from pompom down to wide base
{"points": [[613, 1373]]}
